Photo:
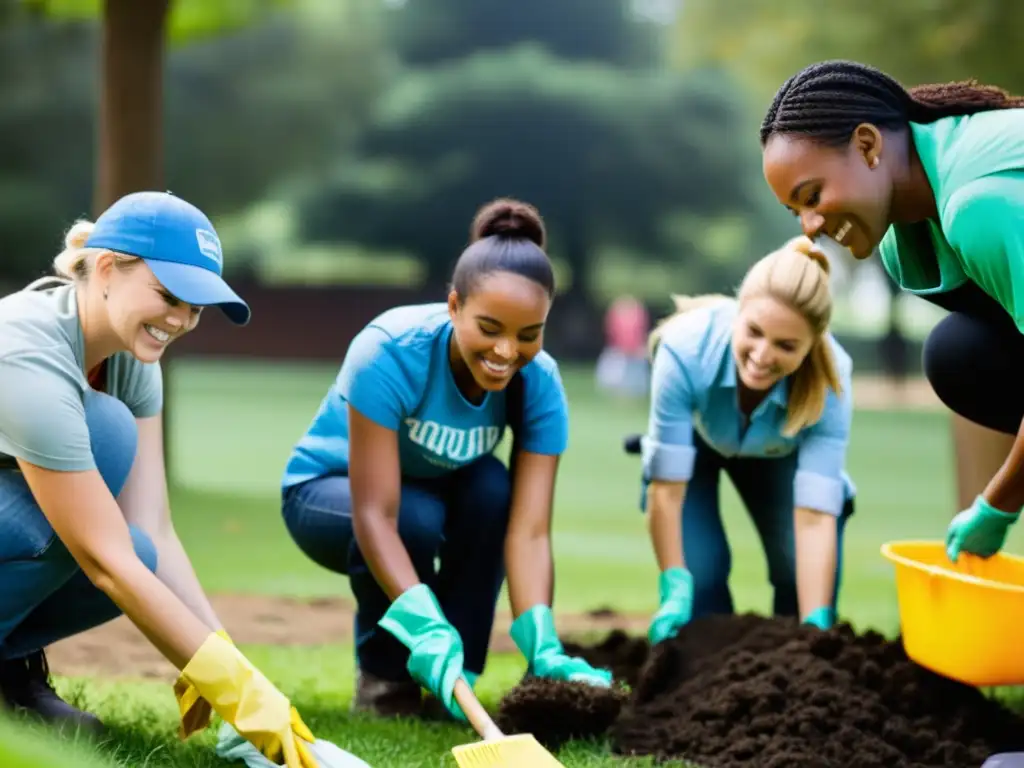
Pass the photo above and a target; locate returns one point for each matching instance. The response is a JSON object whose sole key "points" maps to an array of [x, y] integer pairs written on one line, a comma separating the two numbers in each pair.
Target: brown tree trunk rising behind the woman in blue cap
{"points": [[131, 120]]}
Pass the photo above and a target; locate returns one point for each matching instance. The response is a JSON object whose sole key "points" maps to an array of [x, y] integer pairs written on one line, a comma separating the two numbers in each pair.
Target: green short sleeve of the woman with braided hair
{"points": [[984, 222]]}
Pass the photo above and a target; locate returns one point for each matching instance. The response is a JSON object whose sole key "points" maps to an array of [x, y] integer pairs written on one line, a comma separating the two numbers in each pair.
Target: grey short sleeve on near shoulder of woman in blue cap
{"points": [[42, 419]]}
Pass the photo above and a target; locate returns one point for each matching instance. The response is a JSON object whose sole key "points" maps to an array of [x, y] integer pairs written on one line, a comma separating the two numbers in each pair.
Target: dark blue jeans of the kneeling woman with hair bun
{"points": [[459, 520]]}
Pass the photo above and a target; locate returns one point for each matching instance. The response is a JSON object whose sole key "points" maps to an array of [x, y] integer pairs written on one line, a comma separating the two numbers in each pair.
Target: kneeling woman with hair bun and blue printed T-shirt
{"points": [[397, 471]]}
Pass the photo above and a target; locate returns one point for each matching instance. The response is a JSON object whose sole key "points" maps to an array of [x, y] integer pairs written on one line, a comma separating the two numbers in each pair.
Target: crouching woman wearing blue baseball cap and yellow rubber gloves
{"points": [[87, 525]]}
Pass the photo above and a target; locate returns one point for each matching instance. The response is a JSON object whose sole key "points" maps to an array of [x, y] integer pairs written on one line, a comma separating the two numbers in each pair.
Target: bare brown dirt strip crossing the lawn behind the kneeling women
{"points": [[118, 650]]}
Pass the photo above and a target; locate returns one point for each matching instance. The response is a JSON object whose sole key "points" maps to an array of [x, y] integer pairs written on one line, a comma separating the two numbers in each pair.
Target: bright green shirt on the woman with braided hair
{"points": [[975, 166]]}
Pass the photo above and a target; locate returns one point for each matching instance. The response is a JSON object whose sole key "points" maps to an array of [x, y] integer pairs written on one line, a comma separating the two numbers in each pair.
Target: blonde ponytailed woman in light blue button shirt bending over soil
{"points": [[756, 387]]}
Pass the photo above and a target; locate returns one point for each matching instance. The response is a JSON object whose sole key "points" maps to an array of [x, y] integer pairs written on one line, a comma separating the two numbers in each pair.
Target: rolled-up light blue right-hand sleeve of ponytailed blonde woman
{"points": [[820, 483]]}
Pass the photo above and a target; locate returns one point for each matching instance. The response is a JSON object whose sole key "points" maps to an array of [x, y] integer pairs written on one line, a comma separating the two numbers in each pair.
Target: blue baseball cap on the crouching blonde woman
{"points": [[178, 243]]}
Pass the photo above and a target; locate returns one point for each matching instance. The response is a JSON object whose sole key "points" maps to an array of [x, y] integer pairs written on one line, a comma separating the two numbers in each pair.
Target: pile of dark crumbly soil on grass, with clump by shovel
{"points": [[753, 692]]}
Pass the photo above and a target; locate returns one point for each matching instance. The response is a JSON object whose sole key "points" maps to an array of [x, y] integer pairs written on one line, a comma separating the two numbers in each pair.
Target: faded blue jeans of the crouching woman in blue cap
{"points": [[45, 595]]}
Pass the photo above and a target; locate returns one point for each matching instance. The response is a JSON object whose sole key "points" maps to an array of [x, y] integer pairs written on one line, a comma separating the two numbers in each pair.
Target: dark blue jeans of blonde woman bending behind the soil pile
{"points": [[765, 486]]}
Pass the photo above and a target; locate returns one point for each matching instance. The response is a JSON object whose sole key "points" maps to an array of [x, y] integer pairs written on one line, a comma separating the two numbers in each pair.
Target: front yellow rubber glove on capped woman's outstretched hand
{"points": [[244, 698]]}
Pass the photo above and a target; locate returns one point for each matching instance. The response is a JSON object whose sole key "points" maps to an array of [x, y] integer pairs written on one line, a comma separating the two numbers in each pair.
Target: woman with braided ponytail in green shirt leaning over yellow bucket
{"points": [[934, 179]]}
